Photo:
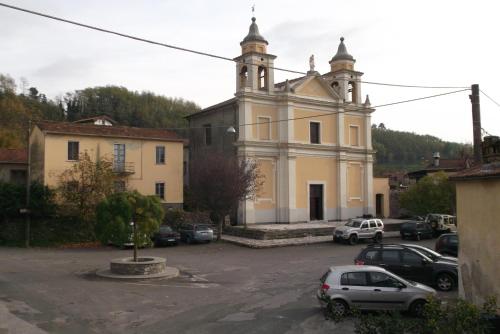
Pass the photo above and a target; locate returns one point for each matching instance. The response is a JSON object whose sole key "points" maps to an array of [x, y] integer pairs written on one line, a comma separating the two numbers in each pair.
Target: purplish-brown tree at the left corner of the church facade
{"points": [[218, 183]]}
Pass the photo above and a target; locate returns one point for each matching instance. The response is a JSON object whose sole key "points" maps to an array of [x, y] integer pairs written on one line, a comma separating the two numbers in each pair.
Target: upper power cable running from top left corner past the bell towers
{"points": [[140, 39]]}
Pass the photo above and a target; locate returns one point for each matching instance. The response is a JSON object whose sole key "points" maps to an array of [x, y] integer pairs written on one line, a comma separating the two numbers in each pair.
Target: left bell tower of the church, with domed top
{"points": [[254, 68]]}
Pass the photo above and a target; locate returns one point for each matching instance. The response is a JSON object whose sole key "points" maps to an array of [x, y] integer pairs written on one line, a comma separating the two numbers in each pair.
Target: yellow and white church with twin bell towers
{"points": [[310, 135]]}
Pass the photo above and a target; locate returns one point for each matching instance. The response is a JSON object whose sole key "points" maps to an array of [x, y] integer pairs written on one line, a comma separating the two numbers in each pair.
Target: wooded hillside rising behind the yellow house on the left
{"points": [[18, 105]]}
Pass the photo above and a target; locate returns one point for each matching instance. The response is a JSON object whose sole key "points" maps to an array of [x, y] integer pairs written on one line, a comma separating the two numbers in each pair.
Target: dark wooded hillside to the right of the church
{"points": [[398, 150]]}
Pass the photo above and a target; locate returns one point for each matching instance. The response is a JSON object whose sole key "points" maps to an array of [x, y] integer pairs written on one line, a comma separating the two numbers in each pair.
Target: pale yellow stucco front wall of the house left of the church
{"points": [[140, 153]]}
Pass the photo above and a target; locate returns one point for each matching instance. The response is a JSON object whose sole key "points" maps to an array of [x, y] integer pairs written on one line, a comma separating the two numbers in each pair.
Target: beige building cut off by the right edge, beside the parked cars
{"points": [[478, 214]]}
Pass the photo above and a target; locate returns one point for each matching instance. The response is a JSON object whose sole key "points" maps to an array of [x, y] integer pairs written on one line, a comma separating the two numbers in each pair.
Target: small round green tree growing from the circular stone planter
{"points": [[122, 215]]}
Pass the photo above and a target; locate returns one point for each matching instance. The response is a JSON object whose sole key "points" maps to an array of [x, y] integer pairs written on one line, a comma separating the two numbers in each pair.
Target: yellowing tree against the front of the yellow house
{"points": [[85, 184]]}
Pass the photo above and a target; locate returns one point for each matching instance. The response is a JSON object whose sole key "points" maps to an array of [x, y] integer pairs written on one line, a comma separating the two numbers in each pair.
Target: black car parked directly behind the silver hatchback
{"points": [[411, 264]]}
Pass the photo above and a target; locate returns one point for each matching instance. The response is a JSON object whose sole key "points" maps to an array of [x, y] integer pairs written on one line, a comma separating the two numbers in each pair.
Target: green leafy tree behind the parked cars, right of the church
{"points": [[433, 193]]}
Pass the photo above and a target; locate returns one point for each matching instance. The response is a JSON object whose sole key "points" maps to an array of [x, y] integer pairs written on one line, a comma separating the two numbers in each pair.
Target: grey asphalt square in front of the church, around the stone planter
{"points": [[223, 288]]}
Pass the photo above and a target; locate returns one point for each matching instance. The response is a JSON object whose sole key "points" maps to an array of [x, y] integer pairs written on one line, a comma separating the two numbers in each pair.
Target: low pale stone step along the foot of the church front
{"points": [[272, 243]]}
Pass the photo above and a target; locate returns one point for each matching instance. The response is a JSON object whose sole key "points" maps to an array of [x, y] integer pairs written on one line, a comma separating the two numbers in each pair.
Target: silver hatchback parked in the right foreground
{"points": [[370, 288]]}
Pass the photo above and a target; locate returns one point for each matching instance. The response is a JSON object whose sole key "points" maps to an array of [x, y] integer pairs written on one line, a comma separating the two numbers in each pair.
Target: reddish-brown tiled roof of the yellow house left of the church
{"points": [[107, 131]]}
